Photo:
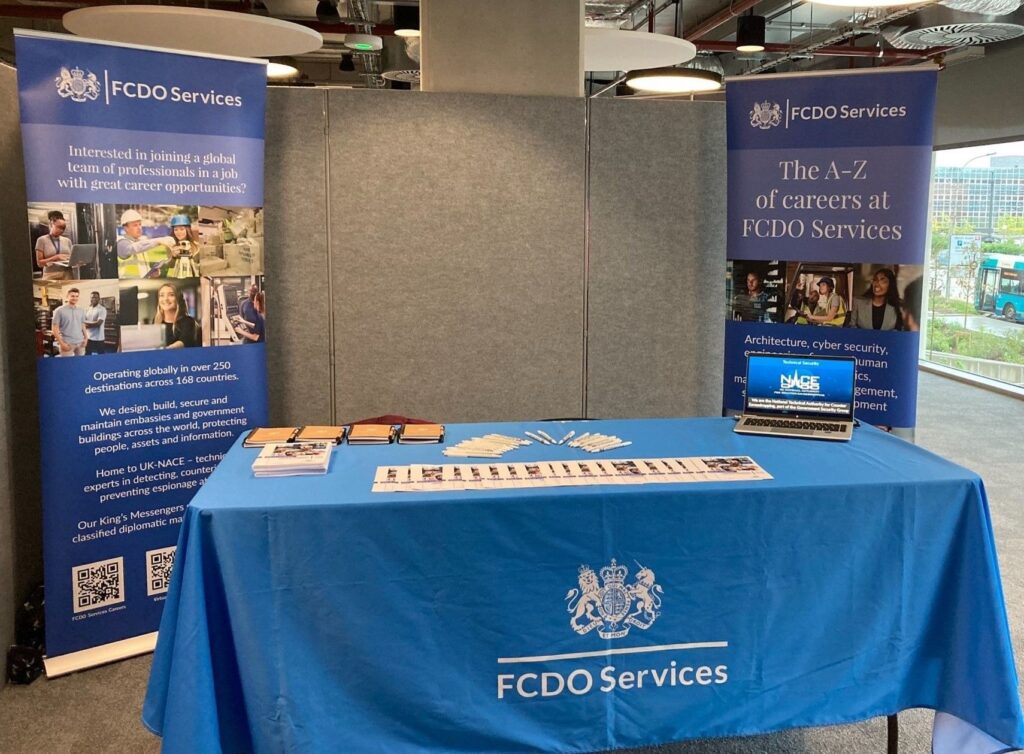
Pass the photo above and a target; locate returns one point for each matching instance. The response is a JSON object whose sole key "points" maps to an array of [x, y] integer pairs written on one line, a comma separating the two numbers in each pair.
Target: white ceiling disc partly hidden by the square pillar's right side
{"points": [[615, 50]]}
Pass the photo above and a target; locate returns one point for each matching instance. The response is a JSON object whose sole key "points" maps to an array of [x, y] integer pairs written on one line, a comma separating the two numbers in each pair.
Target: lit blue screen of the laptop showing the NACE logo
{"points": [[792, 386]]}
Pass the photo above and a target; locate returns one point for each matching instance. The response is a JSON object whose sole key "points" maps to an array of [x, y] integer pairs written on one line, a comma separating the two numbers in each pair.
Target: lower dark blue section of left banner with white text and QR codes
{"points": [[130, 439]]}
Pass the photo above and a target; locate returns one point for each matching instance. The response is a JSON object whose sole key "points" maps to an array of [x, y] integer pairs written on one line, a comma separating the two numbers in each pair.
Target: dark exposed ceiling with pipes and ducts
{"points": [[800, 35]]}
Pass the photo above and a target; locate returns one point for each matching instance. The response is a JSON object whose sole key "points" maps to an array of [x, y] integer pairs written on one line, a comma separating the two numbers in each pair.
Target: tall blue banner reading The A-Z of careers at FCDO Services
{"points": [[829, 181]]}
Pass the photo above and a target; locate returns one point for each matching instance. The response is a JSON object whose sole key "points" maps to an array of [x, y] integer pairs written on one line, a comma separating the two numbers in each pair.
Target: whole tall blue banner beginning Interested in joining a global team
{"points": [[145, 176]]}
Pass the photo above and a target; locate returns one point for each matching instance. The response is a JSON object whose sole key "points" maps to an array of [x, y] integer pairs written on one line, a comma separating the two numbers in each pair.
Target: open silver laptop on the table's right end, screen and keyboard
{"points": [[799, 397]]}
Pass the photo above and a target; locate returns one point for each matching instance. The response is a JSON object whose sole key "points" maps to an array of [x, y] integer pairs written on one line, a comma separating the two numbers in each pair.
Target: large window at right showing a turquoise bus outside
{"points": [[974, 320]]}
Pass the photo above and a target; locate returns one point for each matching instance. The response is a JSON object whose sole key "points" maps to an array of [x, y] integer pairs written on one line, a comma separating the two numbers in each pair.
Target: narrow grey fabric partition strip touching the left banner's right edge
{"points": [[298, 343]]}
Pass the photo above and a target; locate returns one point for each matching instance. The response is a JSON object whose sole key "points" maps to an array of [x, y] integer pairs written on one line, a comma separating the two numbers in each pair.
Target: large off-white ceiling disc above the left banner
{"points": [[194, 30]]}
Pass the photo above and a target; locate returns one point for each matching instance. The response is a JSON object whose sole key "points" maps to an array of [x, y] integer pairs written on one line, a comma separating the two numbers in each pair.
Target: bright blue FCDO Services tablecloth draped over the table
{"points": [[311, 615]]}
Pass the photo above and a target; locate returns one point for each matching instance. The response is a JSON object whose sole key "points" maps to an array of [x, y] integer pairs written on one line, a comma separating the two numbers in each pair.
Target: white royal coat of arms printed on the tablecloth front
{"points": [[613, 607]]}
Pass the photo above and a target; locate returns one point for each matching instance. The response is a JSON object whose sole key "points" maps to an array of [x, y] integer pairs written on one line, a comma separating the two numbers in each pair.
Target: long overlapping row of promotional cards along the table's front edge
{"points": [[422, 478]]}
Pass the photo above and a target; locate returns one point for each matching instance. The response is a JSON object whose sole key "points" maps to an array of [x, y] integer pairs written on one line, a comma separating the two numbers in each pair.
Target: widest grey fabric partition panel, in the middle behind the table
{"points": [[457, 237]]}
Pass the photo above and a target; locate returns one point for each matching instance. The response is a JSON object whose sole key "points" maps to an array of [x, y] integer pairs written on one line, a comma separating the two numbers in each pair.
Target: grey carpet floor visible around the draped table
{"points": [[99, 710]]}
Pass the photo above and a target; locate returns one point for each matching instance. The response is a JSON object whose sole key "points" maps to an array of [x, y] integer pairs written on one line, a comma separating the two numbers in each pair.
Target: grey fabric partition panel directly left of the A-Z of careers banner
{"points": [[657, 301]]}
